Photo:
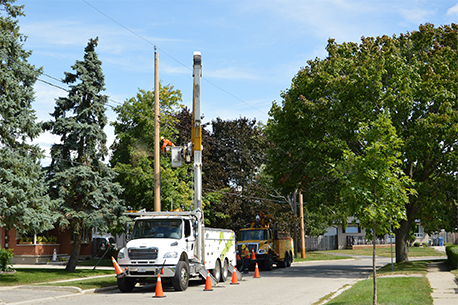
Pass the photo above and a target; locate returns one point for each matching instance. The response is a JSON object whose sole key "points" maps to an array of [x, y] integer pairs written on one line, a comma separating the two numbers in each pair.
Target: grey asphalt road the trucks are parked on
{"points": [[302, 283]]}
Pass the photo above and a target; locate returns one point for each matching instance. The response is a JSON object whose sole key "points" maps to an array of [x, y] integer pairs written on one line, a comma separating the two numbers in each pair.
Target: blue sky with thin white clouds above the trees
{"points": [[250, 49]]}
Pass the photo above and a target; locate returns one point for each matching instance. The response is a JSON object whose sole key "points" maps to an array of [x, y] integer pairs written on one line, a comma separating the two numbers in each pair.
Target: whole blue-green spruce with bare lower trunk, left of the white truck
{"points": [[83, 184]]}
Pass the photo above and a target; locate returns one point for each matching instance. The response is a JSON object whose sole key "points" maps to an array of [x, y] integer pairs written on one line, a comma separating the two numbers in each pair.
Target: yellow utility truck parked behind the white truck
{"points": [[269, 245]]}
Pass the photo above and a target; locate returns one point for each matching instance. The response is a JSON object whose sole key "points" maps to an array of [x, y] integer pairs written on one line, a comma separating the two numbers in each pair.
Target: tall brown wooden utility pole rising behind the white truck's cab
{"points": [[157, 160]]}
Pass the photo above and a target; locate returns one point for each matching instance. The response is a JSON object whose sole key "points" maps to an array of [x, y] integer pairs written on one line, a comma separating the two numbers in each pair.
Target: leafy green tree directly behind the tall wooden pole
{"points": [[133, 151]]}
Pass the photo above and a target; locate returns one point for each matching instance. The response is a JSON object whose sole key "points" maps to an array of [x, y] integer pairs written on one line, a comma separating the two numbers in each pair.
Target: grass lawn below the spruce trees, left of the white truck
{"points": [[27, 276]]}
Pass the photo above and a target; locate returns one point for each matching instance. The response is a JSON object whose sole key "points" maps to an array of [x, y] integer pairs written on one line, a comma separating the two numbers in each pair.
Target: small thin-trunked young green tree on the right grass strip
{"points": [[374, 187]]}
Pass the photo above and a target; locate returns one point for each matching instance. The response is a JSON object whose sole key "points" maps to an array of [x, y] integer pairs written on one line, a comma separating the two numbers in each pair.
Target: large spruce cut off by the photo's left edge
{"points": [[24, 203]]}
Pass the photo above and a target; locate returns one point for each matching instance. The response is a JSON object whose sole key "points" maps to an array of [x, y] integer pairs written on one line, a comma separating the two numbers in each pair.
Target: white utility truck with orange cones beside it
{"points": [[170, 244]]}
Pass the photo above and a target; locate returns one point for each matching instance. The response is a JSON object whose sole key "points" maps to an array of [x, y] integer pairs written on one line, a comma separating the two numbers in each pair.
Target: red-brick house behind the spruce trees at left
{"points": [[40, 248]]}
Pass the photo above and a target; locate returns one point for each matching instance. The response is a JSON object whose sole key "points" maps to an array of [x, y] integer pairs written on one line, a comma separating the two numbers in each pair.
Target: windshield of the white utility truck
{"points": [[157, 228]]}
